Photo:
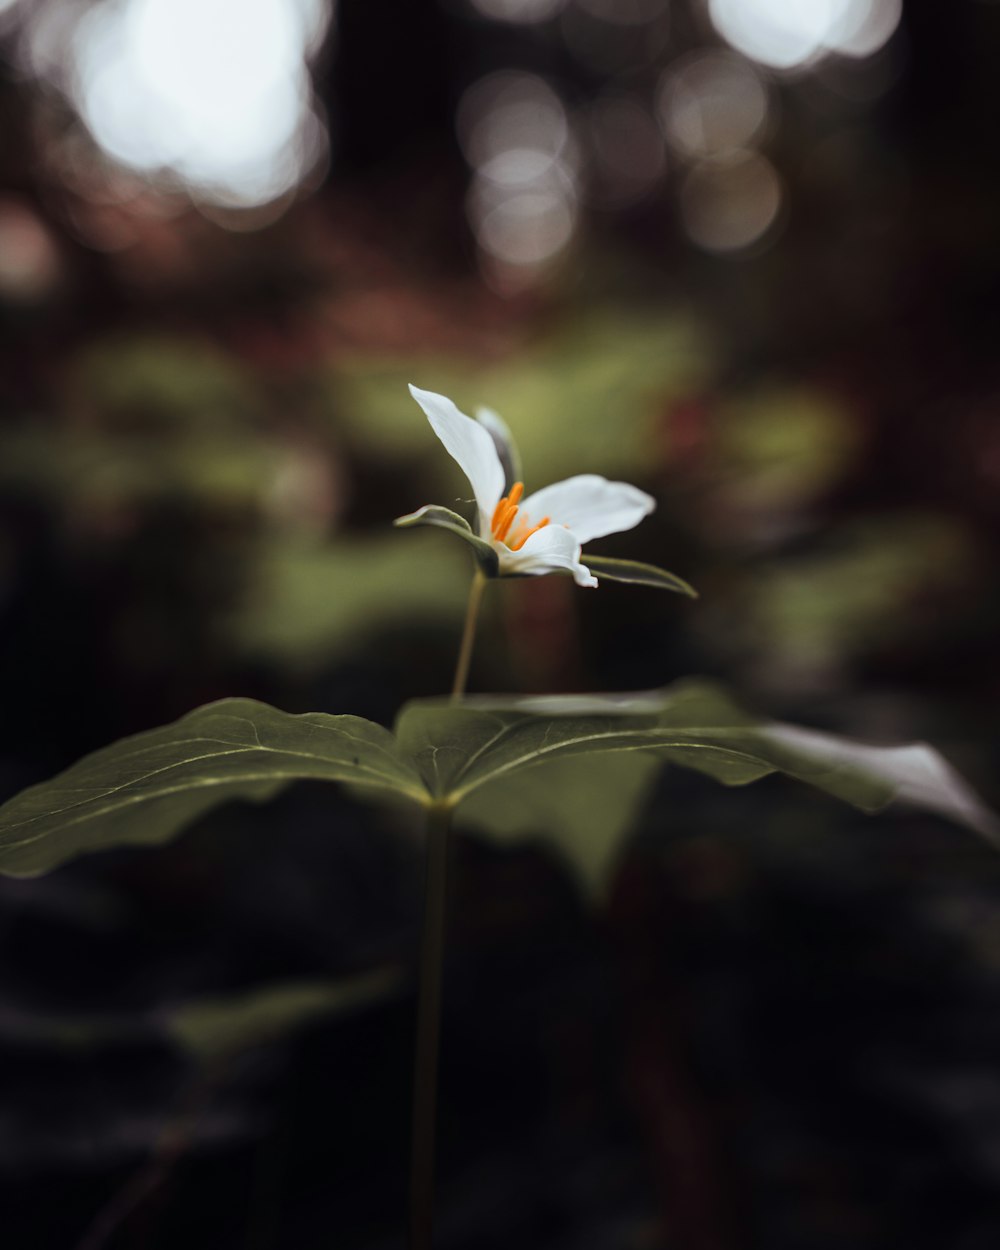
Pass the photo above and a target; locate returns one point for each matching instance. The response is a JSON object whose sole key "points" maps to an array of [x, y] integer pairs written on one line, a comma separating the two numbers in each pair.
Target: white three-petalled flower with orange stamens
{"points": [[527, 534]]}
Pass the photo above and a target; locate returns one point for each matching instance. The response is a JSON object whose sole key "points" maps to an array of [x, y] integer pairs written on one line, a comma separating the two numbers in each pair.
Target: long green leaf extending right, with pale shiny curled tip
{"points": [[461, 749]]}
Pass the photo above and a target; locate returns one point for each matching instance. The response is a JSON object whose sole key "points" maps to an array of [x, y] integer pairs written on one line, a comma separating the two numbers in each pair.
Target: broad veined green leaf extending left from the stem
{"points": [[149, 787]]}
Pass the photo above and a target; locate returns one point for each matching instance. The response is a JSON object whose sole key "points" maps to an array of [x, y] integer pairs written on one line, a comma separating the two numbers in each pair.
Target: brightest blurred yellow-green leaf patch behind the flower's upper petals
{"points": [[583, 401]]}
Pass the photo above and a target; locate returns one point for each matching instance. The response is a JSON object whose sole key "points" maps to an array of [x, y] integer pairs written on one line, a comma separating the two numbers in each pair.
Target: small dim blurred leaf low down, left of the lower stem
{"points": [[217, 1028]]}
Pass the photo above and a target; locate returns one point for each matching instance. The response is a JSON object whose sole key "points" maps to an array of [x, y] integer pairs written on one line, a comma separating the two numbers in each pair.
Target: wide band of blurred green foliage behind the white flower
{"points": [[144, 421]]}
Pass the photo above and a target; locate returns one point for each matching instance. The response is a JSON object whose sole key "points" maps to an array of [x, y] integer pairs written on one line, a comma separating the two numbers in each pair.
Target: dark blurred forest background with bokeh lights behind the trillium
{"points": [[743, 253]]}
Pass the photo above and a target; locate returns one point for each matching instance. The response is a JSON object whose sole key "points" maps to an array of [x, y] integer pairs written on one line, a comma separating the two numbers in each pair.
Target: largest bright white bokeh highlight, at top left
{"points": [[213, 92]]}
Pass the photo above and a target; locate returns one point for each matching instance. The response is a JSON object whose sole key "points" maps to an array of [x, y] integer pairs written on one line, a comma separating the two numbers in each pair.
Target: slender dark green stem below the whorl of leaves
{"points": [[428, 1031]]}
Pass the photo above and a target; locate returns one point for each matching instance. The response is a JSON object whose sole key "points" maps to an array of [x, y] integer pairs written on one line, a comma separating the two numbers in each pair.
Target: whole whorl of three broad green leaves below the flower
{"points": [[147, 788]]}
